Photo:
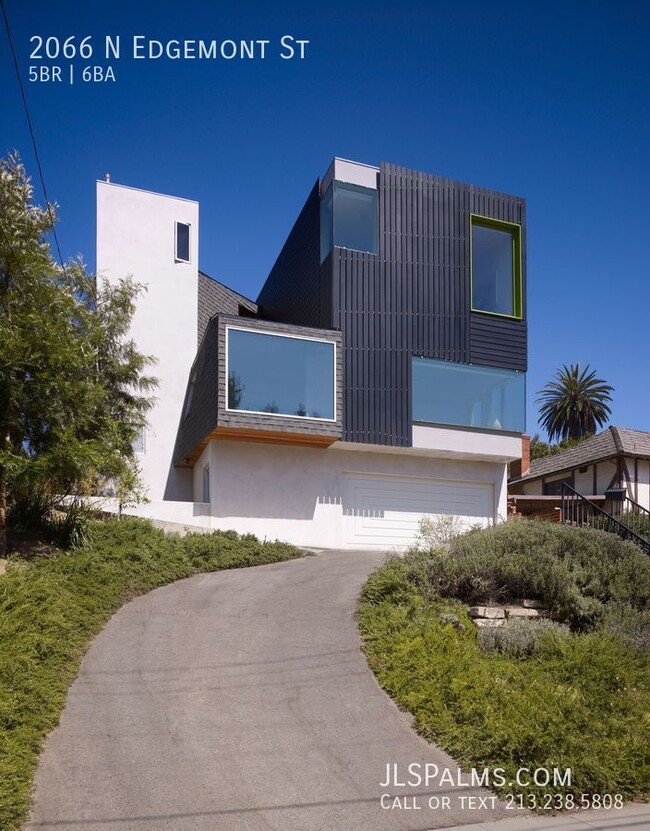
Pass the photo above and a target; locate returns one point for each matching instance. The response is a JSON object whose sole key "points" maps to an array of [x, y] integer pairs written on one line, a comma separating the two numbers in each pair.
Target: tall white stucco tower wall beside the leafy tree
{"points": [[136, 236]]}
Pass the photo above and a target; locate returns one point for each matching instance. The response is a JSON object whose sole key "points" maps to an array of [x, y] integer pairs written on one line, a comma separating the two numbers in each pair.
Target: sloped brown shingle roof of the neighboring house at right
{"points": [[615, 441]]}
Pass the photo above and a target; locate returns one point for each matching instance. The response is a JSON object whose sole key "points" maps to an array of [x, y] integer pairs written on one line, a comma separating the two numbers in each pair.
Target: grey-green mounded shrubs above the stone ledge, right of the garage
{"points": [[573, 571]]}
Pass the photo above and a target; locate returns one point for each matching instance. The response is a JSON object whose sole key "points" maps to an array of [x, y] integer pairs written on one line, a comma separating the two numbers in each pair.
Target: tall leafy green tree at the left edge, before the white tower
{"points": [[72, 388]]}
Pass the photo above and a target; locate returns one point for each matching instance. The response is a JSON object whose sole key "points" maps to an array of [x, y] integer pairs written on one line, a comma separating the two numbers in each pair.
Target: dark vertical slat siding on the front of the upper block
{"points": [[413, 298]]}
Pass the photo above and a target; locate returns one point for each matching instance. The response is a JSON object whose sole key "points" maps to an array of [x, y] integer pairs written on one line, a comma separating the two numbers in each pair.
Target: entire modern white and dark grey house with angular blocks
{"points": [[379, 376]]}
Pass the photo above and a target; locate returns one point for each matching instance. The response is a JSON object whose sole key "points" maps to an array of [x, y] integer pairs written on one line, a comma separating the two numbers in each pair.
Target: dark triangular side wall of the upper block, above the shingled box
{"points": [[292, 291]]}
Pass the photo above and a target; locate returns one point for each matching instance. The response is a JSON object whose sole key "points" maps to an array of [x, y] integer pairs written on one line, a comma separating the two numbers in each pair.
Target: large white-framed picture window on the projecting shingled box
{"points": [[281, 375]]}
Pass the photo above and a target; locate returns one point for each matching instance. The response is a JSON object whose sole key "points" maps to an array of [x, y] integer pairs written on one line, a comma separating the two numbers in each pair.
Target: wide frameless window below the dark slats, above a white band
{"points": [[468, 396]]}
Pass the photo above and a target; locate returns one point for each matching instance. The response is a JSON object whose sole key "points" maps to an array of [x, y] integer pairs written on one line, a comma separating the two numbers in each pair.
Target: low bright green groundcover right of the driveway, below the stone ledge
{"points": [[577, 701]]}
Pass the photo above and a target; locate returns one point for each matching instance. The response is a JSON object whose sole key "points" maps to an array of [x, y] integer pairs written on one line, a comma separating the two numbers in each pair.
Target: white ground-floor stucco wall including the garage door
{"points": [[310, 496]]}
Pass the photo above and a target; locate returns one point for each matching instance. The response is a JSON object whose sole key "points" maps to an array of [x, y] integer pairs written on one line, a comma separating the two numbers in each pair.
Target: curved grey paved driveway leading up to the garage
{"points": [[239, 700]]}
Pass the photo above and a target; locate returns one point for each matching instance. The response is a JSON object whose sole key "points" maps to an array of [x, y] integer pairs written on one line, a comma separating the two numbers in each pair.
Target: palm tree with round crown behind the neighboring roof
{"points": [[574, 403]]}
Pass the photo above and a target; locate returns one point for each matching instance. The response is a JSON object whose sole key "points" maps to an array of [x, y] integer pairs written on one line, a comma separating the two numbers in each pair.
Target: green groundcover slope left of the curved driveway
{"points": [[51, 607]]}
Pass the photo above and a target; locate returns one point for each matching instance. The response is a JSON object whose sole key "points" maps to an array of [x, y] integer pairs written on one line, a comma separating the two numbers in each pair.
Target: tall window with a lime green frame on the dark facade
{"points": [[496, 267]]}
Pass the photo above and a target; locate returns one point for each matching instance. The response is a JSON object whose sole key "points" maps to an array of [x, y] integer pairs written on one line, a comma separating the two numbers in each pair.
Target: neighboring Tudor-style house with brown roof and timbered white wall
{"points": [[617, 458]]}
